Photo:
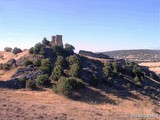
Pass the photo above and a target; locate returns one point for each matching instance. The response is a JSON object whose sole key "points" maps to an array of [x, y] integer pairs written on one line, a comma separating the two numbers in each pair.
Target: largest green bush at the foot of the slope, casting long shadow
{"points": [[66, 86]]}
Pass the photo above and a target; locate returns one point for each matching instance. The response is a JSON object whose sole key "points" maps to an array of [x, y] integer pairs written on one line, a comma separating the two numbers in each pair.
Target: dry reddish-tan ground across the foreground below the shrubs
{"points": [[45, 105]]}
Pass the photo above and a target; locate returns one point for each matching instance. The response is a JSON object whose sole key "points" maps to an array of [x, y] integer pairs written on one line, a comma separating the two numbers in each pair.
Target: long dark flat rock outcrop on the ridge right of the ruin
{"points": [[91, 54]]}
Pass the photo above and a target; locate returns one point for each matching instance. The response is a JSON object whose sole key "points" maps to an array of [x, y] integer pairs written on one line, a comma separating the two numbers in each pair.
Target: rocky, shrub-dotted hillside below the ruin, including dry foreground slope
{"points": [[86, 85]]}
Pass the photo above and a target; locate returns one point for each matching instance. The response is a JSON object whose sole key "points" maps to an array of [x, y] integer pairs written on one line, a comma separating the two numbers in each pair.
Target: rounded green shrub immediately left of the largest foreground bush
{"points": [[42, 80]]}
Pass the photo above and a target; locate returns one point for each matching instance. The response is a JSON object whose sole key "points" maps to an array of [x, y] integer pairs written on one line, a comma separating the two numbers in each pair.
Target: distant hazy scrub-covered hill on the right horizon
{"points": [[135, 55]]}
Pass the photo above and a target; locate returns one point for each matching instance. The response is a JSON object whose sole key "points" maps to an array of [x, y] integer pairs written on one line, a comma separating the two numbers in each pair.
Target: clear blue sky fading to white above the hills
{"points": [[95, 25]]}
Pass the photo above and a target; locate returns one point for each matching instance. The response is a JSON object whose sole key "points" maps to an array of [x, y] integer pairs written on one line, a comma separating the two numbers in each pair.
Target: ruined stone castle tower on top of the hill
{"points": [[57, 40]]}
